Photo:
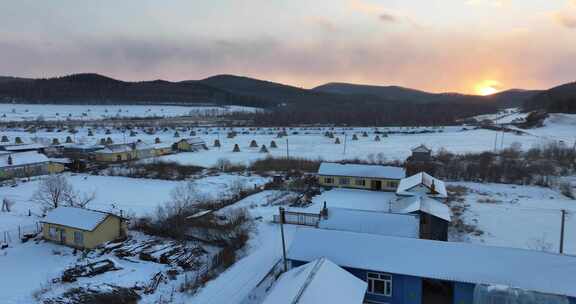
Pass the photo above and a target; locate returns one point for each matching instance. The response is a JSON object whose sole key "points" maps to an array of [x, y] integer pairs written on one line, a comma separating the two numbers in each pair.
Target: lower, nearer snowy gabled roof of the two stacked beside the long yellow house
{"points": [[424, 204]]}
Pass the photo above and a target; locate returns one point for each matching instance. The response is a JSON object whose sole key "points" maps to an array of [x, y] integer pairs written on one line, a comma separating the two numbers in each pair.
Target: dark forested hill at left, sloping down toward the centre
{"points": [[98, 89]]}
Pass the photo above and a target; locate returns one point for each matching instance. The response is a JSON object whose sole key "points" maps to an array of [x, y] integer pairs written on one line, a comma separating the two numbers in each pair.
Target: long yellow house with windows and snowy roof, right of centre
{"points": [[370, 177]]}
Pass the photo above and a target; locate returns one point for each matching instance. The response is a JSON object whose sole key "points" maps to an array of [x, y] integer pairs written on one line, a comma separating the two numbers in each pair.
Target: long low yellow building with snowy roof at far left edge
{"points": [[26, 164]]}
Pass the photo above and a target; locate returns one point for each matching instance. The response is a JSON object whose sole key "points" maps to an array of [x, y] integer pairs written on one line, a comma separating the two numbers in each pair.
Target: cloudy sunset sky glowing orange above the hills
{"points": [[470, 46]]}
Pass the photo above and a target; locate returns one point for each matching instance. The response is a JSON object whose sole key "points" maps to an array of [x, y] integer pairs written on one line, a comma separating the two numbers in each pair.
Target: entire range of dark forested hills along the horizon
{"points": [[231, 89]]}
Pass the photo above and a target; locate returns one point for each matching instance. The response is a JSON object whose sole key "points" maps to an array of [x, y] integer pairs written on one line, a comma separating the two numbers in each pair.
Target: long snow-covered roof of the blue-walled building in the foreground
{"points": [[459, 262]]}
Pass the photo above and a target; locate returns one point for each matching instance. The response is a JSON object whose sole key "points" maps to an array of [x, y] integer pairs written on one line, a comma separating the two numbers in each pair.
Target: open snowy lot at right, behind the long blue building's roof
{"points": [[520, 216]]}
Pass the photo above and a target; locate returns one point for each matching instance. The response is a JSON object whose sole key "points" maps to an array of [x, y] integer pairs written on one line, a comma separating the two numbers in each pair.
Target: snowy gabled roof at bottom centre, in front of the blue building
{"points": [[320, 281]]}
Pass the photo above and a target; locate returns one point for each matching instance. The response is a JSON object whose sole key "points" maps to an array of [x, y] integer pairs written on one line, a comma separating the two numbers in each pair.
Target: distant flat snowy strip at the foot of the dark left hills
{"points": [[50, 112]]}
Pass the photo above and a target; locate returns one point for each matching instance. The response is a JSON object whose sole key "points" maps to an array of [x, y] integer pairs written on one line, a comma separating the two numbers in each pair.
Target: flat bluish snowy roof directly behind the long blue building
{"points": [[402, 225]]}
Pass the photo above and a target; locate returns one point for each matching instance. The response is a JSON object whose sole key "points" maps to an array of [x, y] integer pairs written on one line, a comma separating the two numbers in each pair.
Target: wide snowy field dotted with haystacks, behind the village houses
{"points": [[310, 143]]}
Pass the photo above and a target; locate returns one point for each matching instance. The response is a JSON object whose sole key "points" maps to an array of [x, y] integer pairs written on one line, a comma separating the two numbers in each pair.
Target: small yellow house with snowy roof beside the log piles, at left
{"points": [[82, 228]]}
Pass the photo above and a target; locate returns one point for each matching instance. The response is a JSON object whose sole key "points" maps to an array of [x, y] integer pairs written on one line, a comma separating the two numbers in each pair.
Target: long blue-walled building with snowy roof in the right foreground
{"points": [[408, 270]]}
